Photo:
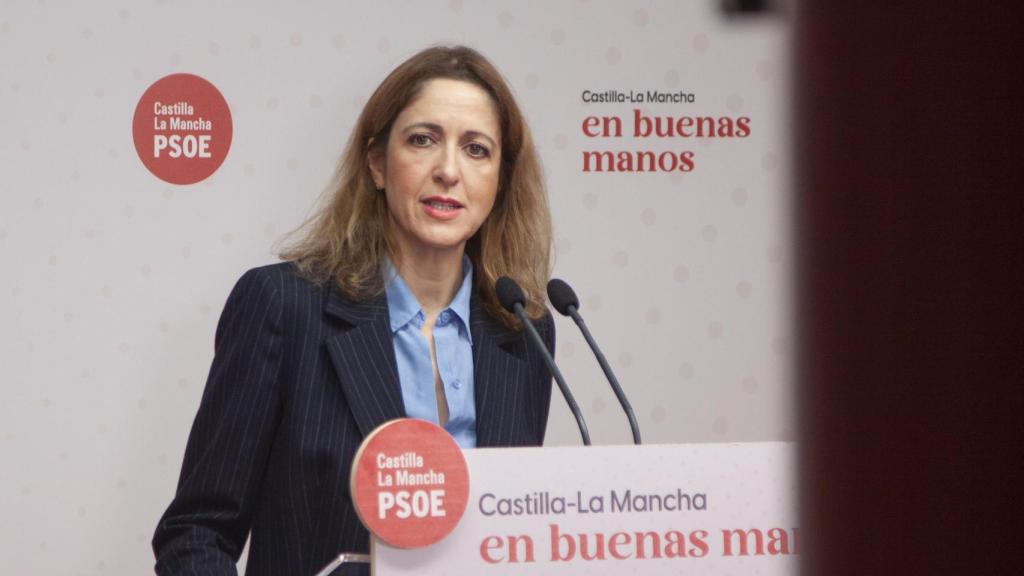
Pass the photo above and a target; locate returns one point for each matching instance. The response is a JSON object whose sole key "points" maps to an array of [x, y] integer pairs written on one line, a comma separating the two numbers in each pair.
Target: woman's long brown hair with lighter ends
{"points": [[349, 236]]}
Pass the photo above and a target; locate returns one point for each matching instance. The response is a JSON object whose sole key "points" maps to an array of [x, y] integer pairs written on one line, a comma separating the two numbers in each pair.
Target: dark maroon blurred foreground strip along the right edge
{"points": [[911, 232]]}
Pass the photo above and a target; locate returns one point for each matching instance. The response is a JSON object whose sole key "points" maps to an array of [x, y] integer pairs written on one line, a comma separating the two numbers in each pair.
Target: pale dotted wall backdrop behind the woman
{"points": [[113, 280]]}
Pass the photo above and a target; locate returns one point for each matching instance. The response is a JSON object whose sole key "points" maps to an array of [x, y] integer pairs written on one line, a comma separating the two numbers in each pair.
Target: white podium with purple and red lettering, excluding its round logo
{"points": [[697, 509]]}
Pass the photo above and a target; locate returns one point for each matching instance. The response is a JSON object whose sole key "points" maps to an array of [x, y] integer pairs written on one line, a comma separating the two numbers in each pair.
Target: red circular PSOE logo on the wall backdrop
{"points": [[183, 129]]}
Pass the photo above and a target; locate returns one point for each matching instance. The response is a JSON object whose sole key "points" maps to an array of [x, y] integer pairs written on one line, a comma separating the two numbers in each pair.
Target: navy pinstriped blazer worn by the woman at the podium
{"points": [[301, 376]]}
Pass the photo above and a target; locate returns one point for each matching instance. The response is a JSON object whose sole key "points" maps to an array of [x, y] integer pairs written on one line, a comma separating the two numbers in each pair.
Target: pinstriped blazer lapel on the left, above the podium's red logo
{"points": [[363, 355]]}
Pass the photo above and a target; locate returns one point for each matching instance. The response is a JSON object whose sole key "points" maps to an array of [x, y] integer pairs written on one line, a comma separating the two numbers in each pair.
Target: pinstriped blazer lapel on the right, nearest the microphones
{"points": [[498, 375]]}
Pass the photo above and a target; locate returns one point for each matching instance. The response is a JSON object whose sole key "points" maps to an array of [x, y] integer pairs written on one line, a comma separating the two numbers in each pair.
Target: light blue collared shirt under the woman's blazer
{"points": [[454, 347]]}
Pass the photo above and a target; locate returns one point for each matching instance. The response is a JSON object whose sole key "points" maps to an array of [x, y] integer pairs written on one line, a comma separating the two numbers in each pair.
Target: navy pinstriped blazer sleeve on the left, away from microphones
{"points": [[205, 528]]}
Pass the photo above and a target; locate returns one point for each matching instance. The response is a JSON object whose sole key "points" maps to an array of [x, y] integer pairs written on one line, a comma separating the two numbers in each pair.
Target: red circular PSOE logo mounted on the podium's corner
{"points": [[410, 483]]}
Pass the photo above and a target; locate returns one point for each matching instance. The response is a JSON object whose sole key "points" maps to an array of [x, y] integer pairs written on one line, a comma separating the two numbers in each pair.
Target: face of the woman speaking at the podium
{"points": [[442, 167]]}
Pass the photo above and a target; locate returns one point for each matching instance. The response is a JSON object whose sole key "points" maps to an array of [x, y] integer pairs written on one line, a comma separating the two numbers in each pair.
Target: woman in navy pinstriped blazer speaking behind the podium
{"points": [[385, 308]]}
